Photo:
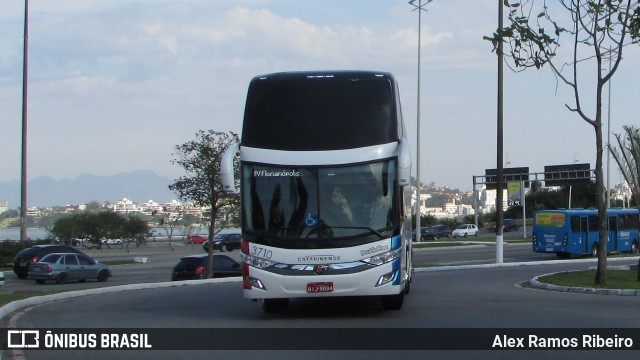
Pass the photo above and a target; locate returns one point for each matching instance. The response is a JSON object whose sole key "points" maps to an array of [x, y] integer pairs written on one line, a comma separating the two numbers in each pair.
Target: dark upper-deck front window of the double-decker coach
{"points": [[321, 110]]}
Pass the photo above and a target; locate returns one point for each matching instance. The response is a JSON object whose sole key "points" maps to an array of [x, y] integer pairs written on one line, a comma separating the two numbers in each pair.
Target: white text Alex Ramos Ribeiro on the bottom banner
{"points": [[590, 341]]}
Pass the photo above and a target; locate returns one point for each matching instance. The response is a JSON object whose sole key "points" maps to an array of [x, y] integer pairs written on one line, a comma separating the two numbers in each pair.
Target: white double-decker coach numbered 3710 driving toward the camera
{"points": [[325, 188]]}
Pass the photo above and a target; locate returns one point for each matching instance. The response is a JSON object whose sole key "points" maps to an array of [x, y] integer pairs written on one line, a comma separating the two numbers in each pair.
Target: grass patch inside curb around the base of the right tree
{"points": [[616, 279]]}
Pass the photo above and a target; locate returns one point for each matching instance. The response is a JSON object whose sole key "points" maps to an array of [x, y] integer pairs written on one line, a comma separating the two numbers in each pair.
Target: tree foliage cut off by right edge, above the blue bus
{"points": [[627, 155]]}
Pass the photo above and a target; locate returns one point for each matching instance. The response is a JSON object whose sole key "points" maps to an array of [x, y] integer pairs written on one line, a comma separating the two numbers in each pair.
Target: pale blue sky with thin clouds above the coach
{"points": [[114, 85]]}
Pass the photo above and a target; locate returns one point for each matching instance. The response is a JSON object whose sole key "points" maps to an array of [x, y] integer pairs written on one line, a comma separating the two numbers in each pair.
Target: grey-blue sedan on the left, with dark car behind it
{"points": [[62, 267]]}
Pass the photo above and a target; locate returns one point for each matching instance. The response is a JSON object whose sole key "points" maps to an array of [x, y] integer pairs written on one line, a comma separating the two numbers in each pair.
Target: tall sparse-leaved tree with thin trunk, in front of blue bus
{"points": [[593, 27]]}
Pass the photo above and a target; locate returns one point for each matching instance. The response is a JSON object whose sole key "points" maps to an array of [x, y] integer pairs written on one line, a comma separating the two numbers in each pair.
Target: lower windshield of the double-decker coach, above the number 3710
{"points": [[317, 203]]}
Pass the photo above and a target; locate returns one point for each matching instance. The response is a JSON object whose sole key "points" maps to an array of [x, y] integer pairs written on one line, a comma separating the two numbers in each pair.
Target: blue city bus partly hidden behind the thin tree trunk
{"points": [[569, 232]]}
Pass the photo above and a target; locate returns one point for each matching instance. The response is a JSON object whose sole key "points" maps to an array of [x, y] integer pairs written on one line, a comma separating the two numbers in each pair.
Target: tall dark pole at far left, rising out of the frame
{"points": [[23, 176]]}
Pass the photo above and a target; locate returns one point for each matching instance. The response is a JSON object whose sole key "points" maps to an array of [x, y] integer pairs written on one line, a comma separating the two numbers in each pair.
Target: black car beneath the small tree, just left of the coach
{"points": [[195, 267]]}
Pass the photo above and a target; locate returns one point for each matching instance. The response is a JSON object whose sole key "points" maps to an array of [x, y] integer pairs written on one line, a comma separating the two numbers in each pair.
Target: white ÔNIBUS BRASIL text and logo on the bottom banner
{"points": [[69, 340]]}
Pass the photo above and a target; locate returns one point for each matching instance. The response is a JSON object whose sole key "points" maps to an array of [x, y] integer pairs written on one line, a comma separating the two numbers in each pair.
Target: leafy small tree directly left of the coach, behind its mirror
{"points": [[200, 159]]}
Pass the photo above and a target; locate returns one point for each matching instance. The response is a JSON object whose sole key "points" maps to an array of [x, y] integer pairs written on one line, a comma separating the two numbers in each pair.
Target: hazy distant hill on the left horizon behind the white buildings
{"points": [[139, 186]]}
